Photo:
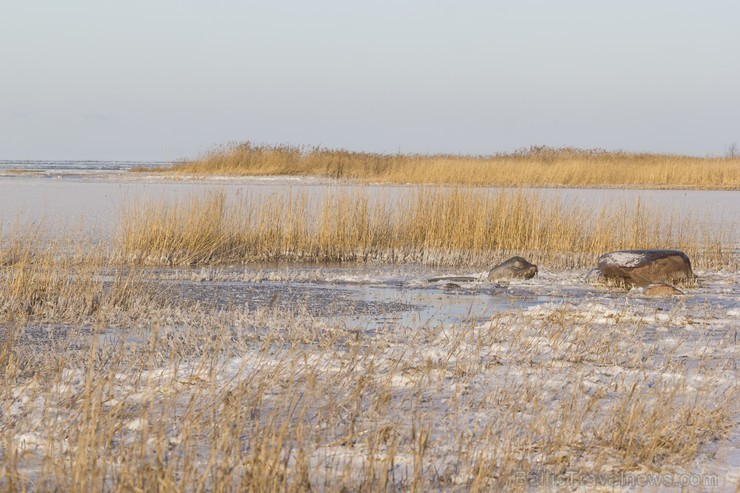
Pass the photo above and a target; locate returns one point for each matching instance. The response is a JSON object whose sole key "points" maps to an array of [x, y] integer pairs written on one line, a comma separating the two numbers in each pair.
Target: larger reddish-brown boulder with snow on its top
{"points": [[644, 267]]}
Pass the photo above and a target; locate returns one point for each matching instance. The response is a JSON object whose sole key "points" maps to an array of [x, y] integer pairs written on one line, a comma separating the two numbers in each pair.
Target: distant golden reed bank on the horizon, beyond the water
{"points": [[536, 166]]}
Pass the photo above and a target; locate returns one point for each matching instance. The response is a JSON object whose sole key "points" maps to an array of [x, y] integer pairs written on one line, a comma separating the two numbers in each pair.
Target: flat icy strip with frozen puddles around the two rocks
{"points": [[354, 293]]}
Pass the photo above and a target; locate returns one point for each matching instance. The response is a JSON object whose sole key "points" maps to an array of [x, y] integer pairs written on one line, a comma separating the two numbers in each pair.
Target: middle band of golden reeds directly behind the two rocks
{"points": [[433, 226]]}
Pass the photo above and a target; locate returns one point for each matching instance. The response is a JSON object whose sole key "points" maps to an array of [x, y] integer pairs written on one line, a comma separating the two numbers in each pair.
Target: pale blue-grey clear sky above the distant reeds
{"points": [[167, 80]]}
